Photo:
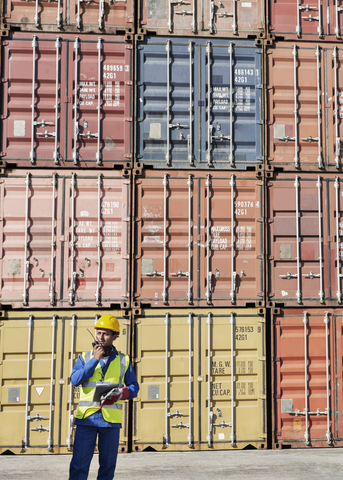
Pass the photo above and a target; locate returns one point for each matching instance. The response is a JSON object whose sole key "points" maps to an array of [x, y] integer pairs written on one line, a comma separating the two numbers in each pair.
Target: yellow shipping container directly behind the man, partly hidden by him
{"points": [[37, 402]]}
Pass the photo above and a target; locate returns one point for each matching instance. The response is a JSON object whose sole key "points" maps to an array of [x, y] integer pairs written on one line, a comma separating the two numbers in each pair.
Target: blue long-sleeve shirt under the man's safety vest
{"points": [[83, 371]]}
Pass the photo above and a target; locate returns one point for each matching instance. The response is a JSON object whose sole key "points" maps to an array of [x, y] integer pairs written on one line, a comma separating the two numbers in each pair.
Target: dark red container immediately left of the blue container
{"points": [[66, 101]]}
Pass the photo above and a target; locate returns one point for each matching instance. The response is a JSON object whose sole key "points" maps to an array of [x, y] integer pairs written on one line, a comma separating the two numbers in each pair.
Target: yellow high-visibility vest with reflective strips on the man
{"points": [[114, 374]]}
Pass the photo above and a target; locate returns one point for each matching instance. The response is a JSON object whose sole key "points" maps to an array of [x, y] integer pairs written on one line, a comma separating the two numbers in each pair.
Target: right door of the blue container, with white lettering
{"points": [[231, 122]]}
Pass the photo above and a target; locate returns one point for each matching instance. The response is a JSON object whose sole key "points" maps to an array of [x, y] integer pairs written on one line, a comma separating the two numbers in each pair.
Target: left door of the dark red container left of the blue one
{"points": [[33, 108]]}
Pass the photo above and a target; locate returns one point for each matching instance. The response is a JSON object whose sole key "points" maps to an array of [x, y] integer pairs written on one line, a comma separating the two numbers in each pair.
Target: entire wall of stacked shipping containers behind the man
{"points": [[187, 179]]}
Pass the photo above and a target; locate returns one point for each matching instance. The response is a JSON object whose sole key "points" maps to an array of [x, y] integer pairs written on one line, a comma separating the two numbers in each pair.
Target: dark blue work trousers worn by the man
{"points": [[84, 444]]}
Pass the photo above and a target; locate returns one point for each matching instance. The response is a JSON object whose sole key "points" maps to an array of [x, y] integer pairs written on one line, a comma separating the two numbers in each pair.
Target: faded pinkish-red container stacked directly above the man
{"points": [[65, 239]]}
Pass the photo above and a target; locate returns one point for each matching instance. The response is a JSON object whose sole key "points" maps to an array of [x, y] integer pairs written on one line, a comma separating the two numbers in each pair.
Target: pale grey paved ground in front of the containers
{"points": [[323, 464]]}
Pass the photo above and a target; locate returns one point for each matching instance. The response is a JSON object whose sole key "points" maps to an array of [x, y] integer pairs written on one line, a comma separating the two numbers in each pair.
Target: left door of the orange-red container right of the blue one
{"points": [[297, 130]]}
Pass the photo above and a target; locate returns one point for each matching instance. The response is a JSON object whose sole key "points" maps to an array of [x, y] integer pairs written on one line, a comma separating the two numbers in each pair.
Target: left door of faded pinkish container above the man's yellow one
{"points": [[30, 253]]}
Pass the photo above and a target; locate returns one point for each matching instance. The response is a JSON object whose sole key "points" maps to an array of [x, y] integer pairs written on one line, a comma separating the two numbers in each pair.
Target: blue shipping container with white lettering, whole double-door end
{"points": [[199, 104]]}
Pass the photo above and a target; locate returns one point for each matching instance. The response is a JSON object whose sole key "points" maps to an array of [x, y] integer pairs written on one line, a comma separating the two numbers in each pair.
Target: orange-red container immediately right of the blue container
{"points": [[304, 106]]}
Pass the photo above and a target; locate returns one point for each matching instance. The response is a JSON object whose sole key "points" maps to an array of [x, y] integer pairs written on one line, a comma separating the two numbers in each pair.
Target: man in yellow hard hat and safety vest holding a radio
{"points": [[103, 418]]}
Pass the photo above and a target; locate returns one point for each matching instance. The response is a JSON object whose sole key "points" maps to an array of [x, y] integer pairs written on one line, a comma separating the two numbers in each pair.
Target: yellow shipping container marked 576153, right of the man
{"points": [[202, 379]]}
